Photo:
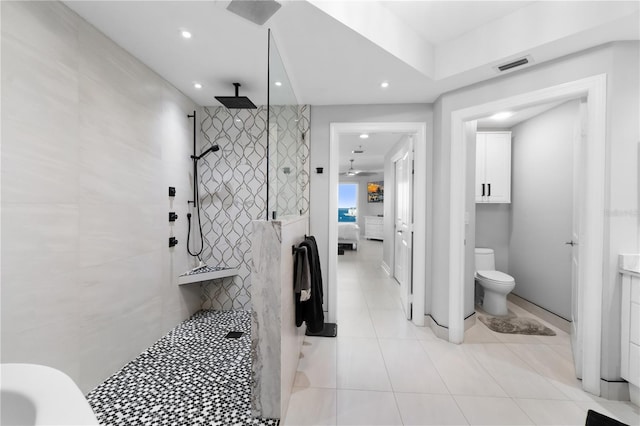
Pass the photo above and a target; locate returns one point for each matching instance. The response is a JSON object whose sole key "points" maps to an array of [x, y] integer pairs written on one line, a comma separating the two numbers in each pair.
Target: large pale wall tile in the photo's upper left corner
{"points": [[39, 118]]}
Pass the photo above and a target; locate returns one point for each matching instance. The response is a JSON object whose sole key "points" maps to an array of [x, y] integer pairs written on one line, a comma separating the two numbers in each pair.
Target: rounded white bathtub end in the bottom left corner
{"points": [[33, 394]]}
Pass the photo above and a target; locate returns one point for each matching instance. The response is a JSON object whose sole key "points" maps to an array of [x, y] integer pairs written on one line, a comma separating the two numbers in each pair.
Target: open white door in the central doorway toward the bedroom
{"points": [[403, 220]]}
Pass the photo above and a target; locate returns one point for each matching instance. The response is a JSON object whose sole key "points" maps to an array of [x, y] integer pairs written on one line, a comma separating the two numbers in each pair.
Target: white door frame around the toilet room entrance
{"points": [[591, 261]]}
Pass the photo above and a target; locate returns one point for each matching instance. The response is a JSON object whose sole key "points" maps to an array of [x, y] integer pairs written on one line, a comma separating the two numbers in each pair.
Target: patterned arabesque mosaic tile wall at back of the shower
{"points": [[233, 189]]}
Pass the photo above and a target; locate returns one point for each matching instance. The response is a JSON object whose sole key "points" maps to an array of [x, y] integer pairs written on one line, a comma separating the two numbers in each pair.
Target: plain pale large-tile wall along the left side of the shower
{"points": [[91, 139]]}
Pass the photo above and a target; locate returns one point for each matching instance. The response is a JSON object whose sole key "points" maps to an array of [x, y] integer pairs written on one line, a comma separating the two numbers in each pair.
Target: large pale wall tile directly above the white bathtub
{"points": [[40, 309]]}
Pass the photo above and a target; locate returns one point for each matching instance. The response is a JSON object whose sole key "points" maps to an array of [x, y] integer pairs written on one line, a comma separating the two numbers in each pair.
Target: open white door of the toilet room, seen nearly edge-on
{"points": [[579, 139]]}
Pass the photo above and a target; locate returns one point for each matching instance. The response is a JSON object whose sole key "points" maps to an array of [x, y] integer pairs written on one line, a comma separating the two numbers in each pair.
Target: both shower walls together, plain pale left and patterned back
{"points": [[91, 140]]}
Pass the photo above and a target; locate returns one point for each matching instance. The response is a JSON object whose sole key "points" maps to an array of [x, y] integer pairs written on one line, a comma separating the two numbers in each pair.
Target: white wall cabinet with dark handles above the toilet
{"points": [[493, 167]]}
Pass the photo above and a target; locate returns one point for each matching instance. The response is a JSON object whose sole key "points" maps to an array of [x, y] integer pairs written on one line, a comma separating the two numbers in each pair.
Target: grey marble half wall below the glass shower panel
{"points": [[276, 342]]}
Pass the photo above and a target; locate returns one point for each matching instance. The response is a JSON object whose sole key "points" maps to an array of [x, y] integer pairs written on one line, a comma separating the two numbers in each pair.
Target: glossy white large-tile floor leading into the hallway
{"points": [[383, 370]]}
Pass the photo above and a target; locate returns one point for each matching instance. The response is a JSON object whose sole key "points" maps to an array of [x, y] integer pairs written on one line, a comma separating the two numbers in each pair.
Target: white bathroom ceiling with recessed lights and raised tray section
{"points": [[338, 52]]}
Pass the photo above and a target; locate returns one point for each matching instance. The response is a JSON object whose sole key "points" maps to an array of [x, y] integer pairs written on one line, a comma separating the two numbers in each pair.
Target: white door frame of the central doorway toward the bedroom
{"points": [[419, 129]]}
